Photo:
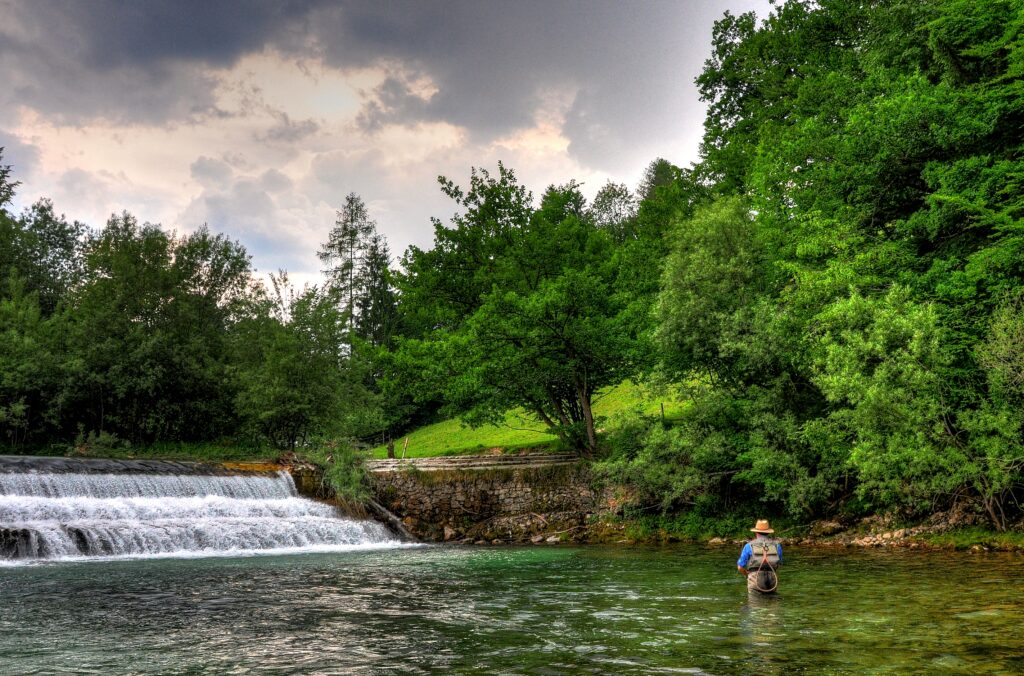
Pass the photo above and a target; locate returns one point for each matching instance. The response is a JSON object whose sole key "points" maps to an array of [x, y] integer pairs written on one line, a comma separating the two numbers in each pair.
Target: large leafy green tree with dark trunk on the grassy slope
{"points": [[547, 331]]}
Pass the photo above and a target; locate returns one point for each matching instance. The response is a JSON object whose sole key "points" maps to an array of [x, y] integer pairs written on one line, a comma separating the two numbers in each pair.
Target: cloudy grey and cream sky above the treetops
{"points": [[258, 118]]}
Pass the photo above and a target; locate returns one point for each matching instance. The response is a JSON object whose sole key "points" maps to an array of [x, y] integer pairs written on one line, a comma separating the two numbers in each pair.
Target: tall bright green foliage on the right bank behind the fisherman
{"points": [[849, 328]]}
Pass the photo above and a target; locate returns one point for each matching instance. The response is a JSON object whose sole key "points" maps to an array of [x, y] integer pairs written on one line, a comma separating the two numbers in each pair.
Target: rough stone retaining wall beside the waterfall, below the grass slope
{"points": [[528, 504]]}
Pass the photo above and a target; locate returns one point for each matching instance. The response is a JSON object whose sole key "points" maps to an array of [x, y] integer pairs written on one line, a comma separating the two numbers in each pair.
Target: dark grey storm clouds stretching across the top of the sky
{"points": [[630, 66]]}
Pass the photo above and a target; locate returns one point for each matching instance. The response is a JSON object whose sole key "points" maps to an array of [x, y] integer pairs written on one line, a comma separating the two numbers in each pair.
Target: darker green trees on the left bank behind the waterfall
{"points": [[137, 334]]}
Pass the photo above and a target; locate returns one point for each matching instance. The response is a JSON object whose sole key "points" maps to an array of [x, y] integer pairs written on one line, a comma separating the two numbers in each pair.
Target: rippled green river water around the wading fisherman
{"points": [[515, 611]]}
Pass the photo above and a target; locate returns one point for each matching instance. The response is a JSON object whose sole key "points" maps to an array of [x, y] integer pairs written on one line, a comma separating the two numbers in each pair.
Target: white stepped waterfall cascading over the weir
{"points": [[47, 516]]}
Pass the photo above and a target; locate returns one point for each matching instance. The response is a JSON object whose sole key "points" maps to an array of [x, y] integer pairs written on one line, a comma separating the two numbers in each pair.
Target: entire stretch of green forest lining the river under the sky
{"points": [[835, 288]]}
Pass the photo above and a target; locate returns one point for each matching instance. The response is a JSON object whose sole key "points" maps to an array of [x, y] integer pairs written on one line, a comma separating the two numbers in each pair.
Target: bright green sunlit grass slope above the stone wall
{"points": [[521, 432]]}
